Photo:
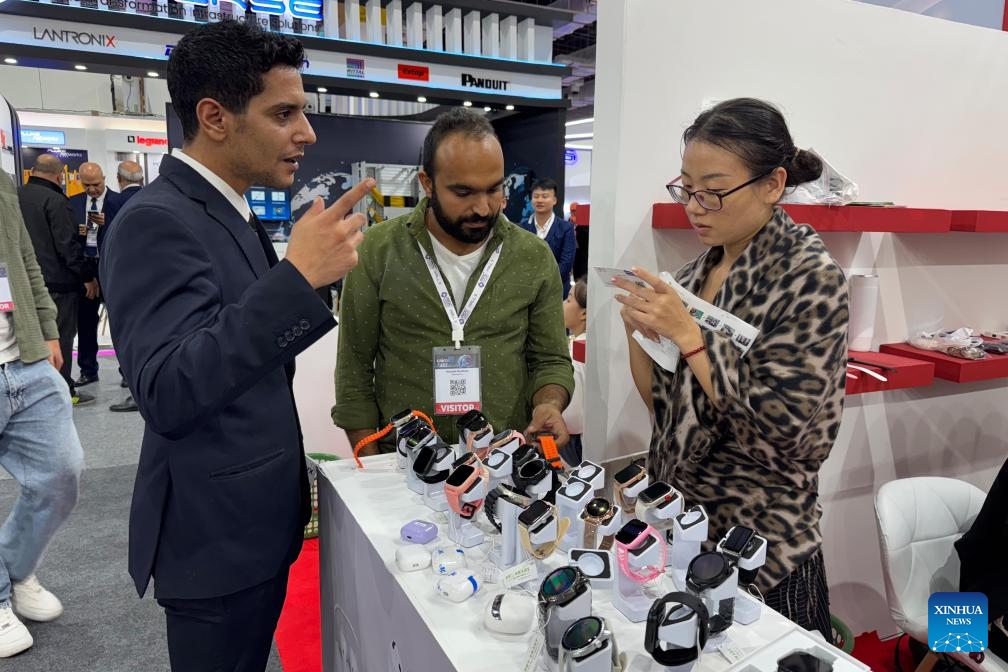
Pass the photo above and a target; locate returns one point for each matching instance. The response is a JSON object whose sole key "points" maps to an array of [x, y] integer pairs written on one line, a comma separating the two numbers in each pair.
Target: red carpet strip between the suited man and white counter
{"points": [[299, 634]]}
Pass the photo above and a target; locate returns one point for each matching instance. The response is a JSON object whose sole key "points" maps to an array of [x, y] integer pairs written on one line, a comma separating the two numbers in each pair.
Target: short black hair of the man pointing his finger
{"points": [[225, 61]]}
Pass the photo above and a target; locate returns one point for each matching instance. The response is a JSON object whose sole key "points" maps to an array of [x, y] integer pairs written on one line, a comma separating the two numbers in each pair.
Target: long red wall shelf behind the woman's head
{"points": [[828, 218]]}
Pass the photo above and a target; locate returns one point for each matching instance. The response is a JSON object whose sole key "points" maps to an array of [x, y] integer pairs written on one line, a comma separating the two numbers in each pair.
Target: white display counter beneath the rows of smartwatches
{"points": [[376, 617]]}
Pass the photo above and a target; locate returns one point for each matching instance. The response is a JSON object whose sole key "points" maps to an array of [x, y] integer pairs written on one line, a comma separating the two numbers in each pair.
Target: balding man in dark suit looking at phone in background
{"points": [[94, 210]]}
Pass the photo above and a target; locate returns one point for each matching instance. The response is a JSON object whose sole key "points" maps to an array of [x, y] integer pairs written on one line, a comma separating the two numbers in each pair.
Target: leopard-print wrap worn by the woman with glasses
{"points": [[753, 458]]}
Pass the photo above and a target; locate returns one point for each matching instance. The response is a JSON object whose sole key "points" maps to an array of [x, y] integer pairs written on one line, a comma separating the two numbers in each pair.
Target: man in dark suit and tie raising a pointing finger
{"points": [[208, 324]]}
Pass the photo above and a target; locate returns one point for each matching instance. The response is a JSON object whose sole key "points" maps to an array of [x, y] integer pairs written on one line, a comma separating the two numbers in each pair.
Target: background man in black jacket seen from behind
{"points": [[50, 221]]}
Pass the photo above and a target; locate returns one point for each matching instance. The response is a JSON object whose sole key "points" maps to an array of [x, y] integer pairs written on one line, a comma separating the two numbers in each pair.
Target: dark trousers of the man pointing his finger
{"points": [[229, 634]]}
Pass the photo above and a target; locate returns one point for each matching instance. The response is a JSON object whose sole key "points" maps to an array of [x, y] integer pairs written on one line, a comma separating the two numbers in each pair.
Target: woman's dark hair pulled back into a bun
{"points": [[757, 132]]}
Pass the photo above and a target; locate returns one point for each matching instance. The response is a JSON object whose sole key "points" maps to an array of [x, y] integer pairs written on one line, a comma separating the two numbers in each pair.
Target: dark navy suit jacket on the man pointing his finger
{"points": [[207, 325]]}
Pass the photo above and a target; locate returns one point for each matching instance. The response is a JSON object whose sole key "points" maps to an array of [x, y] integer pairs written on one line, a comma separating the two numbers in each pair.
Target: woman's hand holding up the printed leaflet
{"points": [[657, 311]]}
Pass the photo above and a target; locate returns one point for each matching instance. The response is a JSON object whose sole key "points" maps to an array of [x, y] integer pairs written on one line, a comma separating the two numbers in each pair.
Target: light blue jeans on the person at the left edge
{"points": [[41, 450]]}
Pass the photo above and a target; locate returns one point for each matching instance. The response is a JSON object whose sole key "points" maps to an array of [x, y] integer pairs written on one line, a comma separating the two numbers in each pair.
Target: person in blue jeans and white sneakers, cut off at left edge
{"points": [[41, 449]]}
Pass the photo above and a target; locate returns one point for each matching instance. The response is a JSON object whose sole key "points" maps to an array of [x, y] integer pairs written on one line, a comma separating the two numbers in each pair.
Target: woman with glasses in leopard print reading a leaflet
{"points": [[745, 432]]}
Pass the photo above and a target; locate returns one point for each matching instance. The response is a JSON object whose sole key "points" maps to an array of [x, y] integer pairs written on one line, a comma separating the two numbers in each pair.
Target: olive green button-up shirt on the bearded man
{"points": [[392, 317]]}
